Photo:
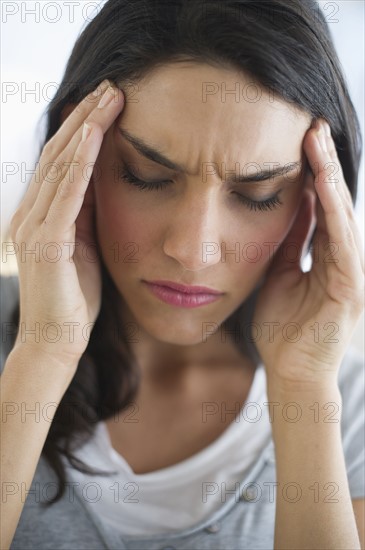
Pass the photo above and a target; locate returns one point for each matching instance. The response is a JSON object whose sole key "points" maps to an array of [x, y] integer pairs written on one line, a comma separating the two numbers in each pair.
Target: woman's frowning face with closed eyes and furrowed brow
{"points": [[198, 228]]}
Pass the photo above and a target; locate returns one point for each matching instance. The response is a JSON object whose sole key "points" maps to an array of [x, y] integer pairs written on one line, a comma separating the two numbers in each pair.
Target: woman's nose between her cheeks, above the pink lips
{"points": [[194, 231]]}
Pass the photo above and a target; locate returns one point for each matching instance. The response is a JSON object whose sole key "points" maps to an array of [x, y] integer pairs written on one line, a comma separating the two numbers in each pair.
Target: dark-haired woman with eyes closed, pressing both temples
{"points": [[194, 151]]}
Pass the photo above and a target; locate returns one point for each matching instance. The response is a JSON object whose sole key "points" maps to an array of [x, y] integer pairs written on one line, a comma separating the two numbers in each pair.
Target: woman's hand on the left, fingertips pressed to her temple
{"points": [[60, 283]]}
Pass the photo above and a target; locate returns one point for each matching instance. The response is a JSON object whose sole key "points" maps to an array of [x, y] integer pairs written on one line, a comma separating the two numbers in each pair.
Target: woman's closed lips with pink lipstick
{"points": [[181, 295]]}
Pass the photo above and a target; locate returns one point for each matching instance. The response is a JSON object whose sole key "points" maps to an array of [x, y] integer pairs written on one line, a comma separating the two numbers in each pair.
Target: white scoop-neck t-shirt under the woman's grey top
{"points": [[178, 496]]}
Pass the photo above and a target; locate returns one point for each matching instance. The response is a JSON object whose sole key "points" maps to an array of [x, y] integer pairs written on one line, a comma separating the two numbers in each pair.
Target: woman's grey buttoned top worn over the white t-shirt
{"points": [[244, 519]]}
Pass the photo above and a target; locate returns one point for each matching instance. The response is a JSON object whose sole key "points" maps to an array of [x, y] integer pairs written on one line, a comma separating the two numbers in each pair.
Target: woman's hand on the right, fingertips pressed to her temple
{"points": [[306, 319]]}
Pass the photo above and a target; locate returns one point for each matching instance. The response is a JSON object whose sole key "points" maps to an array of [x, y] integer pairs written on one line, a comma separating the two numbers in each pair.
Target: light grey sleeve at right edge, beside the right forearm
{"points": [[351, 382]]}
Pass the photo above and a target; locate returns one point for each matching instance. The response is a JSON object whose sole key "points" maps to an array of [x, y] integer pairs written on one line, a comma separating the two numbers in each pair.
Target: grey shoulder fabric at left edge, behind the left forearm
{"points": [[9, 293]]}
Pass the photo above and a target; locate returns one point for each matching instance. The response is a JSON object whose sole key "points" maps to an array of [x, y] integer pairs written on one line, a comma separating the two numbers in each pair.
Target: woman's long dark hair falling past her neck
{"points": [[286, 47]]}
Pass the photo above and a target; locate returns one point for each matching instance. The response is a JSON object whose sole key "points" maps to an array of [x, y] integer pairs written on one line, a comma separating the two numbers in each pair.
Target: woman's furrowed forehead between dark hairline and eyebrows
{"points": [[210, 113]]}
